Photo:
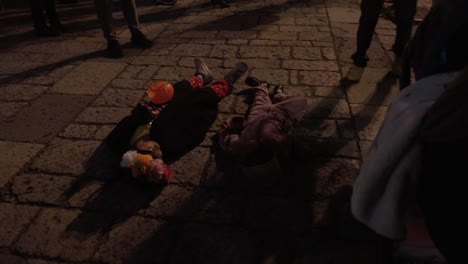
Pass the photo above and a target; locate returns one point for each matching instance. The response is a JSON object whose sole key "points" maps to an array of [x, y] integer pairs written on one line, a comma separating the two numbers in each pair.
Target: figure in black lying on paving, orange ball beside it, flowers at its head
{"points": [[174, 121]]}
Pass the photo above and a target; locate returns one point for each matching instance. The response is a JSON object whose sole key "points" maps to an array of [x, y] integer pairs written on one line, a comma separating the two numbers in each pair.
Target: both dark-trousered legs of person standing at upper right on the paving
{"points": [[370, 12]]}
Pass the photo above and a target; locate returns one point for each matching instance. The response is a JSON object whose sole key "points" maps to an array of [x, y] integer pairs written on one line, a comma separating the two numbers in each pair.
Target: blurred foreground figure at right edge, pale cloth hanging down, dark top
{"points": [[418, 157]]}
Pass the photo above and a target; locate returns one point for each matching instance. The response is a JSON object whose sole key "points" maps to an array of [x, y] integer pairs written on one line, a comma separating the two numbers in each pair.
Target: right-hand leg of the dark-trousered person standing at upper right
{"points": [[404, 13]]}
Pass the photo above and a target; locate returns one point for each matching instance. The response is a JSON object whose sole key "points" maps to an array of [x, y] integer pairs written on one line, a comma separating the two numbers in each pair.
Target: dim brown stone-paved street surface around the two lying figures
{"points": [[60, 200]]}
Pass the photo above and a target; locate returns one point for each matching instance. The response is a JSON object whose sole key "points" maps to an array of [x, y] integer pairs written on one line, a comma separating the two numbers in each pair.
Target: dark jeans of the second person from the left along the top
{"points": [[104, 13]]}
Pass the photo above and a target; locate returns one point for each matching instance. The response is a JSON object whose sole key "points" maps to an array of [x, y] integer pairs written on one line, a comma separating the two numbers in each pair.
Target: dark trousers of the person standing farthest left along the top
{"points": [[42, 8]]}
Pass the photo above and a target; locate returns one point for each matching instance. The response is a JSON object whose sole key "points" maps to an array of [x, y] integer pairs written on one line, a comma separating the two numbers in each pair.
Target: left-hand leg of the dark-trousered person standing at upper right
{"points": [[370, 12]]}
